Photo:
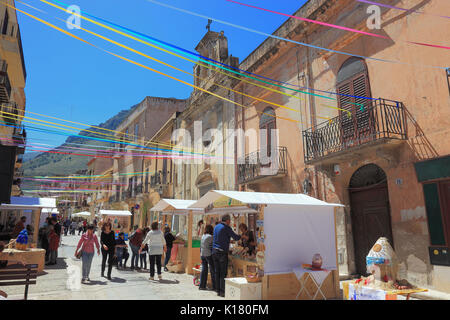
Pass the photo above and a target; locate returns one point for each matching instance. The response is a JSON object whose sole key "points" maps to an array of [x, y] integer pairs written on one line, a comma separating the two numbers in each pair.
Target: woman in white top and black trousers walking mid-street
{"points": [[156, 246]]}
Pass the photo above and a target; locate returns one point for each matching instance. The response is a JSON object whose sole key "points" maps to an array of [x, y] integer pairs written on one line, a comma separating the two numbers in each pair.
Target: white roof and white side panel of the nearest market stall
{"points": [[296, 226]]}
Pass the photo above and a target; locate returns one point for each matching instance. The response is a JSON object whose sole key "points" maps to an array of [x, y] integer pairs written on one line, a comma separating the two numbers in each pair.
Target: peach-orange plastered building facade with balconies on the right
{"points": [[370, 154]]}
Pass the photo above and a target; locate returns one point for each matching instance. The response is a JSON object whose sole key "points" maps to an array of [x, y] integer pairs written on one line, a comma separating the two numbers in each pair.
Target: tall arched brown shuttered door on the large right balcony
{"points": [[357, 125]]}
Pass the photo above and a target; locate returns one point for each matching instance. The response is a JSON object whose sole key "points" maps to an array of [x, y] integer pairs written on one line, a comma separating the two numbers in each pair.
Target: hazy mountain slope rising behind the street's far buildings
{"points": [[54, 164]]}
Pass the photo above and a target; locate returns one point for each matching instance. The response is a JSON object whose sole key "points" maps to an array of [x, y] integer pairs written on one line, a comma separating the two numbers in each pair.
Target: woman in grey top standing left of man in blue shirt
{"points": [[206, 256]]}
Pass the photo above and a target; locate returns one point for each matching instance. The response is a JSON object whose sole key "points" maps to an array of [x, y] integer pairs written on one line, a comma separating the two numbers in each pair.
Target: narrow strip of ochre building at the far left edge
{"points": [[12, 103]]}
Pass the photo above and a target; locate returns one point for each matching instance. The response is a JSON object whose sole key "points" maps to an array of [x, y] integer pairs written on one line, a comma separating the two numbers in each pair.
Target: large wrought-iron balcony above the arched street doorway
{"points": [[380, 121]]}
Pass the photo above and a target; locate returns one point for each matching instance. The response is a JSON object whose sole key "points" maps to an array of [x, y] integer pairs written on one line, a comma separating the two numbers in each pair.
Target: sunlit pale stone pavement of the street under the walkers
{"points": [[56, 283]]}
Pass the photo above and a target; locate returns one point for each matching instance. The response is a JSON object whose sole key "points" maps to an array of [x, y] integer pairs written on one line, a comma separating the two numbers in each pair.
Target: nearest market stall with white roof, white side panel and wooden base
{"points": [[291, 229]]}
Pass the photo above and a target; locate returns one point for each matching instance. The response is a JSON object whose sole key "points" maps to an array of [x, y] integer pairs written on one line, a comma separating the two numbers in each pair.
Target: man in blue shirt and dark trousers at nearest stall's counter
{"points": [[221, 244]]}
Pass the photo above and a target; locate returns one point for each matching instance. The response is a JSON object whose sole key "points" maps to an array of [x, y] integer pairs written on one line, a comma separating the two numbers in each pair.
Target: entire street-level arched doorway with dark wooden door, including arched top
{"points": [[371, 218]]}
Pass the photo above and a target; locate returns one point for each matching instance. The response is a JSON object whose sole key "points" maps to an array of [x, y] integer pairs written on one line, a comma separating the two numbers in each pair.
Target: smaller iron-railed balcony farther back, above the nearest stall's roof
{"points": [[253, 169]]}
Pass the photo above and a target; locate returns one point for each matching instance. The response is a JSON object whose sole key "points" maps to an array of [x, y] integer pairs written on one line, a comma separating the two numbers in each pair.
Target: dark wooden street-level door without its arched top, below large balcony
{"points": [[370, 221]]}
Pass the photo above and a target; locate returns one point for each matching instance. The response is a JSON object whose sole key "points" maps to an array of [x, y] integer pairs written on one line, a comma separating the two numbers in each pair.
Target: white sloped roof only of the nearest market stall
{"points": [[244, 198]]}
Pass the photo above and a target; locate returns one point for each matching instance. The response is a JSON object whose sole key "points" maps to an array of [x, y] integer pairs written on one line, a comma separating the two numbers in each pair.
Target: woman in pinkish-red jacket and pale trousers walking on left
{"points": [[86, 243]]}
